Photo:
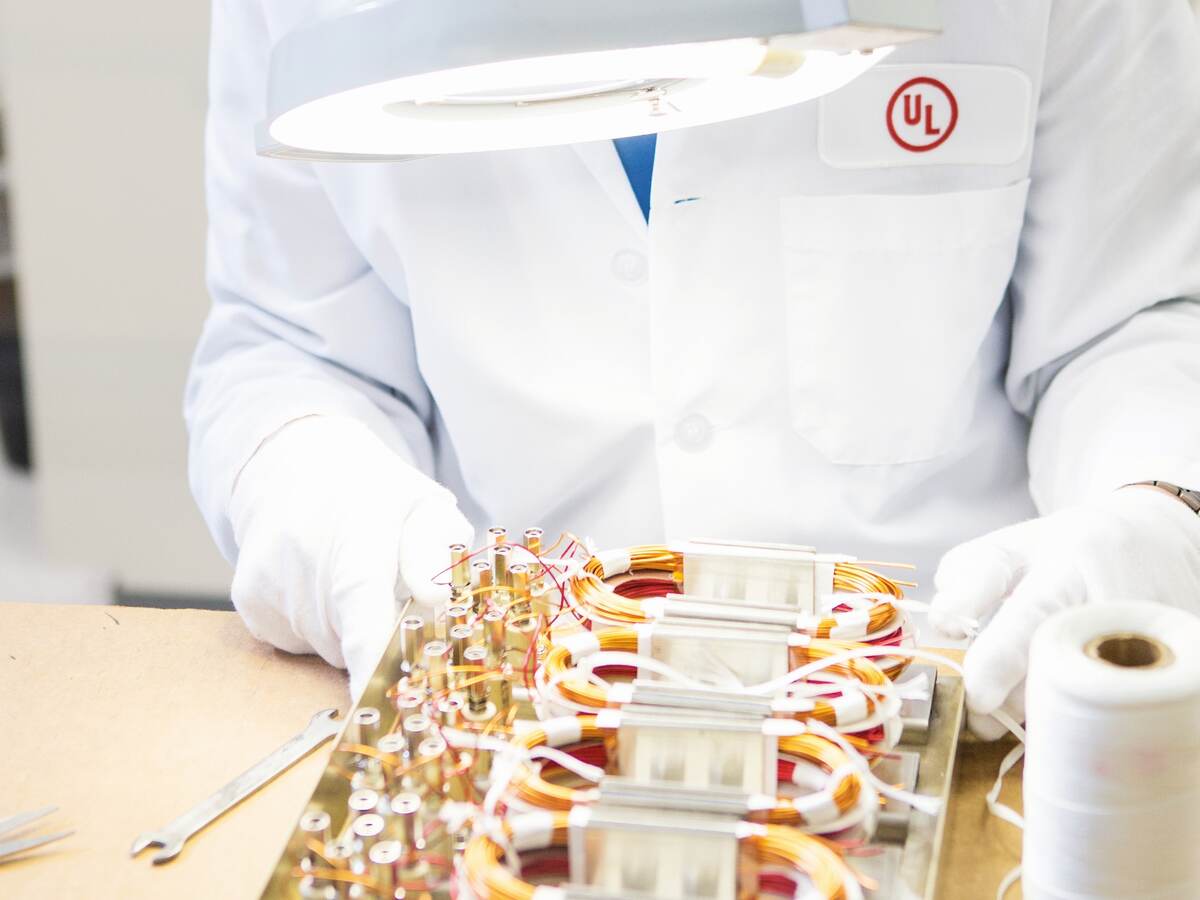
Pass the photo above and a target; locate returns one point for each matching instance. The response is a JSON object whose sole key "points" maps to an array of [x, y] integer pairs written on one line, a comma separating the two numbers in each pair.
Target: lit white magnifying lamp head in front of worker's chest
{"points": [[399, 79]]}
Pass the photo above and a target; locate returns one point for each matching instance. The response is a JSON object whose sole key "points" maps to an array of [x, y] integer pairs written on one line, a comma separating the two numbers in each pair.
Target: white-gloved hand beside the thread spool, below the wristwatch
{"points": [[1135, 544]]}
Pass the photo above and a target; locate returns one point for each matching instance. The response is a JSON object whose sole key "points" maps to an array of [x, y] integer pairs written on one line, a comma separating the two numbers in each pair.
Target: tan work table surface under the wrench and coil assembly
{"points": [[125, 718]]}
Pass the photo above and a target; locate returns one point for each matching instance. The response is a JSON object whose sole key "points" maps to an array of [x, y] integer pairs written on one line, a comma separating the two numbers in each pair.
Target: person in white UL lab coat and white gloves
{"points": [[947, 314]]}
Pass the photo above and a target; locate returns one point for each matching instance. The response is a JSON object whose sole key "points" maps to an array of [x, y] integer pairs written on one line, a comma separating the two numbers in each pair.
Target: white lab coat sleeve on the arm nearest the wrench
{"points": [[301, 323]]}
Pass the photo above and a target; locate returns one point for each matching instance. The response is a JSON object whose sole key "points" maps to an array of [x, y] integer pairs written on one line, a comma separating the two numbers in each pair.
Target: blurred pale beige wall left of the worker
{"points": [[104, 106]]}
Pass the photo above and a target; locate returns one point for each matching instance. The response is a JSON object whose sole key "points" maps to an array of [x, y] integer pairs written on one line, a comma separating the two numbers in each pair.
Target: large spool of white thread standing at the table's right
{"points": [[1113, 760]]}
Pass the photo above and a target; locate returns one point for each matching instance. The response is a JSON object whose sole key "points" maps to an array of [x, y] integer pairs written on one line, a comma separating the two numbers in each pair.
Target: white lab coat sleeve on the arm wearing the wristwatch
{"points": [[1107, 290]]}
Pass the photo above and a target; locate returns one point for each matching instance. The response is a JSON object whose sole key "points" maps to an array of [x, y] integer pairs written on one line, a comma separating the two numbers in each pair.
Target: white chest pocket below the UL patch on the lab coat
{"points": [[889, 299]]}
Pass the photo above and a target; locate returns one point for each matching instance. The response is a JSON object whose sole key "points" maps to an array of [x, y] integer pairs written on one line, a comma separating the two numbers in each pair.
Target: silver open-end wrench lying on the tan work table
{"points": [[171, 838]]}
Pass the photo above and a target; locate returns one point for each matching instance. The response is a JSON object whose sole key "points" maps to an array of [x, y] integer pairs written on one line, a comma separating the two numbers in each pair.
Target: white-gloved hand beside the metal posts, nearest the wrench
{"points": [[333, 529]]}
